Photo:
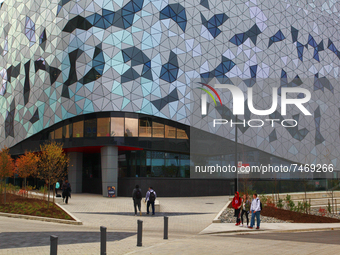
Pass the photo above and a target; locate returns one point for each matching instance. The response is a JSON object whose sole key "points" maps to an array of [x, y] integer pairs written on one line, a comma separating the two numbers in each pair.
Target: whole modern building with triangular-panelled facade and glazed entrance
{"points": [[113, 81]]}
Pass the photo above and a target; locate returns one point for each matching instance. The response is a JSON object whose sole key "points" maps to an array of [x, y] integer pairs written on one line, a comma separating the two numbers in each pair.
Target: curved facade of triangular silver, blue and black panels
{"points": [[64, 58]]}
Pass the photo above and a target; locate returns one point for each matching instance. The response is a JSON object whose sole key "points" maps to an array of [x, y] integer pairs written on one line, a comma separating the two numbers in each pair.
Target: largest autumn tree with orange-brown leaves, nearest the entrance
{"points": [[52, 163]]}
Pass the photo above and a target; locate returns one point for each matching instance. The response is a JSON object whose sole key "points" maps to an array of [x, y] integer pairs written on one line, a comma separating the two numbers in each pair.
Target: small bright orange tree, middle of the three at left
{"points": [[27, 165]]}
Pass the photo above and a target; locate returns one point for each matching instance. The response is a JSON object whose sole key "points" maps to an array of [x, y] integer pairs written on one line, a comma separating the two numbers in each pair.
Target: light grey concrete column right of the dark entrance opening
{"points": [[109, 164]]}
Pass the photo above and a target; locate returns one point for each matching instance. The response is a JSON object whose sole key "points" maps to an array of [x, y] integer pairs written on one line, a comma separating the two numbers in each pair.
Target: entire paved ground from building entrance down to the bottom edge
{"points": [[187, 218]]}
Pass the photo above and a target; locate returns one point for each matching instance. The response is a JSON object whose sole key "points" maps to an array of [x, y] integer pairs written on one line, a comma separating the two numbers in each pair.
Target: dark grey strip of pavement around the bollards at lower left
{"points": [[31, 239]]}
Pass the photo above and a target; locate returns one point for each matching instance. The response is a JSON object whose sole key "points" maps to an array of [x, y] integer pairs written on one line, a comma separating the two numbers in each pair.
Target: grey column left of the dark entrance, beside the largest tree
{"points": [[75, 171]]}
